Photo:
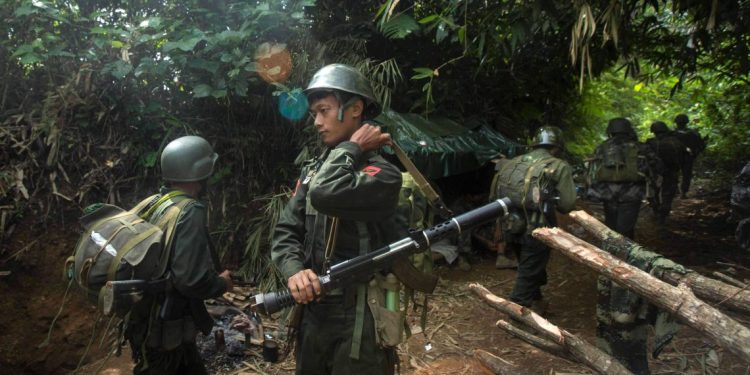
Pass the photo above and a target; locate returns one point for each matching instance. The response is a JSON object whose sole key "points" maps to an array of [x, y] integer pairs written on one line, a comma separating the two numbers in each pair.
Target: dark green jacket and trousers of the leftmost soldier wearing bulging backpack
{"points": [[163, 341]]}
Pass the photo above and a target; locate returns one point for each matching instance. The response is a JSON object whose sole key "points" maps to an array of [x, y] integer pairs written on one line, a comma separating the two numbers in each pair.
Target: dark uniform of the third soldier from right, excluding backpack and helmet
{"points": [[622, 200]]}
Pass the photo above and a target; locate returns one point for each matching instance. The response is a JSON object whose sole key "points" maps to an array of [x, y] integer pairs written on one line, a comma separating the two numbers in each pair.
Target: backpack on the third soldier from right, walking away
{"points": [[616, 162]]}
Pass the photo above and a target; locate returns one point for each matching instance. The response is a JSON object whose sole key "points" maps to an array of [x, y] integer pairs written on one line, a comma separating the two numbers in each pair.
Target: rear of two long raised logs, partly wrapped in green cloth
{"points": [[704, 287]]}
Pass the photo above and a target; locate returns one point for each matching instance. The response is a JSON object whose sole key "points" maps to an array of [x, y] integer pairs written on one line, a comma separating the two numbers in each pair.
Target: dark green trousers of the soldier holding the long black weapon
{"points": [[324, 342]]}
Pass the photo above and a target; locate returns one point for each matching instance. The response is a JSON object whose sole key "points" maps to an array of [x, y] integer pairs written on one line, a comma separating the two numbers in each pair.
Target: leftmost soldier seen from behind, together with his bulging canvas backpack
{"points": [[159, 255]]}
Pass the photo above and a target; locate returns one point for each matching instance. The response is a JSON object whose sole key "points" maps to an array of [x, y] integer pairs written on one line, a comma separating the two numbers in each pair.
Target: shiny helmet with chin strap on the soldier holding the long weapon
{"points": [[345, 78]]}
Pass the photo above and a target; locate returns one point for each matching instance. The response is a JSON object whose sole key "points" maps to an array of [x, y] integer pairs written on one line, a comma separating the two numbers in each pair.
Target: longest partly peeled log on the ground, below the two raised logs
{"points": [[579, 349]]}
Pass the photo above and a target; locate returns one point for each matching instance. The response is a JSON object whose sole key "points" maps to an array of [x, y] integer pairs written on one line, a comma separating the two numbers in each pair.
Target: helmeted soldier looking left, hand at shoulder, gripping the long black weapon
{"points": [[344, 205]]}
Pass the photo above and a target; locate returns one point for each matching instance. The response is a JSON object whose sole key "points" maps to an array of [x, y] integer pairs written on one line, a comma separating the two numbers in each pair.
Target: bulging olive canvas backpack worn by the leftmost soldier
{"points": [[120, 244]]}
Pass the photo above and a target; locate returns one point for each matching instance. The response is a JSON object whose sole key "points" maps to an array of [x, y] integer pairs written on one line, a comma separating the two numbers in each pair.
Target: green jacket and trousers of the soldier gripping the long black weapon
{"points": [[337, 334]]}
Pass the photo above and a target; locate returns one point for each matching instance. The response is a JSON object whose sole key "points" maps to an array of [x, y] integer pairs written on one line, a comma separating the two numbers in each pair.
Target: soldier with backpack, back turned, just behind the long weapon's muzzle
{"points": [[534, 182]]}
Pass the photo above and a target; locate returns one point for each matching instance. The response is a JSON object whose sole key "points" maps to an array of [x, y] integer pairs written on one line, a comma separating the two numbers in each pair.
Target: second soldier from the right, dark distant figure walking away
{"points": [[672, 153]]}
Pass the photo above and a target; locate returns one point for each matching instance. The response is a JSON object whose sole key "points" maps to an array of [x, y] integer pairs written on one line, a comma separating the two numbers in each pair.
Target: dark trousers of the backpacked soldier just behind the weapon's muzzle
{"points": [[531, 275]]}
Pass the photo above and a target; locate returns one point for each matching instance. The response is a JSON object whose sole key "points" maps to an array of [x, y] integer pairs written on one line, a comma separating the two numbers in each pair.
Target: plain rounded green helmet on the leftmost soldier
{"points": [[189, 158]]}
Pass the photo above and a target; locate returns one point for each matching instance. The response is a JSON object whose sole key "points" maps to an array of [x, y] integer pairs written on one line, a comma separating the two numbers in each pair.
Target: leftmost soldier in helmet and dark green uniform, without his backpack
{"points": [[162, 329]]}
